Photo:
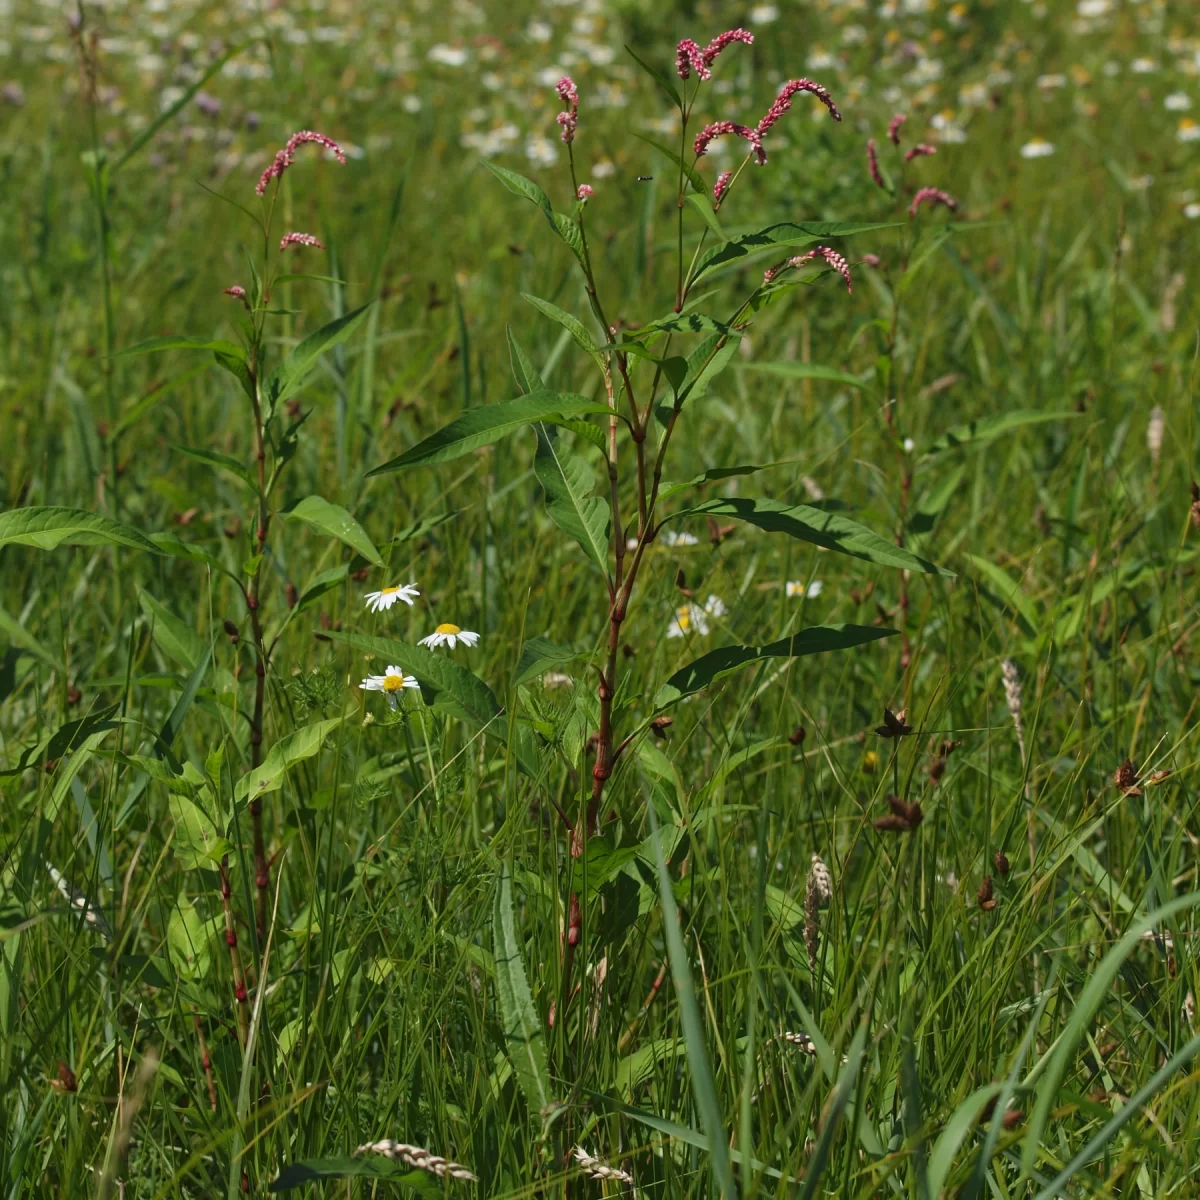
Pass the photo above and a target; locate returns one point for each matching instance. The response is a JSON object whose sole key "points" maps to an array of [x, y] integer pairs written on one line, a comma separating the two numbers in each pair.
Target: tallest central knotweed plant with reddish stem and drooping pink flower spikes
{"points": [[649, 385]]}
